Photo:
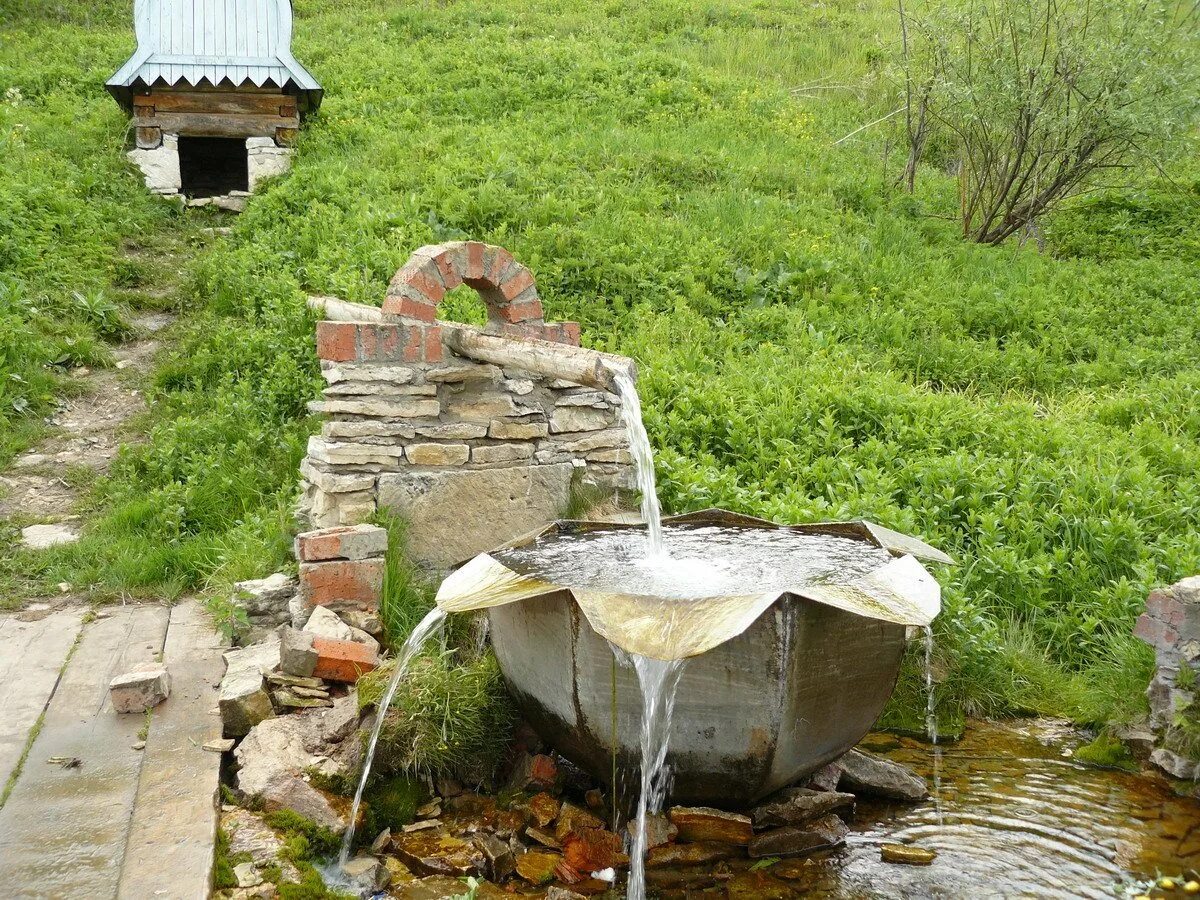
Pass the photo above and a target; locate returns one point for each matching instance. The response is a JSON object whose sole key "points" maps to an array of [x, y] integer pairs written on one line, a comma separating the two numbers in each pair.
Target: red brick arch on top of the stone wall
{"points": [[506, 286]]}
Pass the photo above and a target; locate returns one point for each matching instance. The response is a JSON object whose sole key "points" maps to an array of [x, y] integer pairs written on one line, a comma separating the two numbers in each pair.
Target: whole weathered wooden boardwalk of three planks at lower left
{"points": [[121, 821]]}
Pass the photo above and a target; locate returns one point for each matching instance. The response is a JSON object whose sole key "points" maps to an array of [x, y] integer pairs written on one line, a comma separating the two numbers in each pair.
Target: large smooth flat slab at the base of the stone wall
{"points": [[518, 501]]}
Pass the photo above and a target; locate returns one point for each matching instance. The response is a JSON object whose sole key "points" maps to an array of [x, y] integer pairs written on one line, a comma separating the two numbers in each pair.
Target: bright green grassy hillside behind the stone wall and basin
{"points": [[814, 344]]}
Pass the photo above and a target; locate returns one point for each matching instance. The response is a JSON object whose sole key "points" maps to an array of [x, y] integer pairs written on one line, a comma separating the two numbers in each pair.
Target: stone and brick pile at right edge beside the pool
{"points": [[1172, 626]]}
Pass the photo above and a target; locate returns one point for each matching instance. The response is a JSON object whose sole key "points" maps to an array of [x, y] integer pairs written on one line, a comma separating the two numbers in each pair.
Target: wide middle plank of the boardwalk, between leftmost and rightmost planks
{"points": [[63, 831]]}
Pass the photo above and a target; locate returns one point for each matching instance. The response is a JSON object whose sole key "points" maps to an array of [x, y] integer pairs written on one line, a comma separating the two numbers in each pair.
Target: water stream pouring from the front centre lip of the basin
{"points": [[658, 681]]}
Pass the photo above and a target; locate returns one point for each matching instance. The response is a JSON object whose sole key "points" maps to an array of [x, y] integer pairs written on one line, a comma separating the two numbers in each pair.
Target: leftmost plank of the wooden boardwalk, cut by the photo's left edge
{"points": [[32, 656]]}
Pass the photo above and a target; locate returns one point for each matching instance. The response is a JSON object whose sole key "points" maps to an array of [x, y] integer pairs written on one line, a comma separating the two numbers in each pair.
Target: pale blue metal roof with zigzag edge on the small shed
{"points": [[215, 41]]}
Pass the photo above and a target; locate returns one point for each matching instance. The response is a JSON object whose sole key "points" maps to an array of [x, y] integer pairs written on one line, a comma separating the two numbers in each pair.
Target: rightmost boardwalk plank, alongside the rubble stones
{"points": [[176, 814]]}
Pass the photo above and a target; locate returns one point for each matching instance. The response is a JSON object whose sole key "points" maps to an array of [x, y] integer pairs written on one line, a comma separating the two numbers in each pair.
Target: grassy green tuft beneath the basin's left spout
{"points": [[448, 718]]}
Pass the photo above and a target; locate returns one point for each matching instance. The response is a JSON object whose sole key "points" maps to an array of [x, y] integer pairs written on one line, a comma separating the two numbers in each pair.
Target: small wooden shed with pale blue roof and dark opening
{"points": [[215, 94]]}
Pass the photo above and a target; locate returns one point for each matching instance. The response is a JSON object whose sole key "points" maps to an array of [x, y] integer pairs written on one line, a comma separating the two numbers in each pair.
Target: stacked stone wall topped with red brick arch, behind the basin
{"points": [[470, 453]]}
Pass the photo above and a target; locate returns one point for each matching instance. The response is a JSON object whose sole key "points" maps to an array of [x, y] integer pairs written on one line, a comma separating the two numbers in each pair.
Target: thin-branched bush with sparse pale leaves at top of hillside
{"points": [[1046, 98]]}
